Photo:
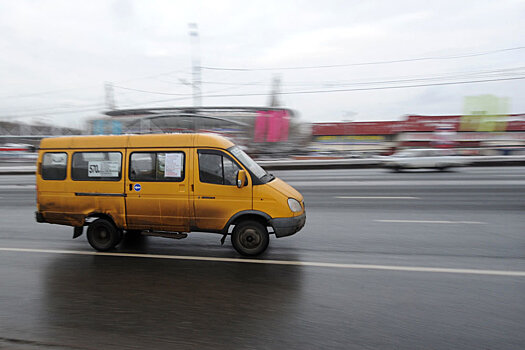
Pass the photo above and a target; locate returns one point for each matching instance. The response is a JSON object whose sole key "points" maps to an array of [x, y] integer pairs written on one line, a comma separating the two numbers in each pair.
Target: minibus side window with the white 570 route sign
{"points": [[96, 166]]}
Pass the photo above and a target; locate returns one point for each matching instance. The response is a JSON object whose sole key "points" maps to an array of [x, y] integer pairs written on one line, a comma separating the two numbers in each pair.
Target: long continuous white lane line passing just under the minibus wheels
{"points": [[278, 262]]}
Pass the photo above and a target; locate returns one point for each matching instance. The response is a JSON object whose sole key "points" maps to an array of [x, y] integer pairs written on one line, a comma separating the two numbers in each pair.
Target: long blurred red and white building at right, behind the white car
{"points": [[419, 131]]}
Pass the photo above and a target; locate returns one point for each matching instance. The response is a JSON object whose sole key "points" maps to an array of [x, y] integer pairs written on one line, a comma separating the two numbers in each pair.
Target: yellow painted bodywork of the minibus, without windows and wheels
{"points": [[167, 206]]}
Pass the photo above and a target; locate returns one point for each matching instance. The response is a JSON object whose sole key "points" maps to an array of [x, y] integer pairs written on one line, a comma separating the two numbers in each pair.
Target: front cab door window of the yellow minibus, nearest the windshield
{"points": [[217, 168]]}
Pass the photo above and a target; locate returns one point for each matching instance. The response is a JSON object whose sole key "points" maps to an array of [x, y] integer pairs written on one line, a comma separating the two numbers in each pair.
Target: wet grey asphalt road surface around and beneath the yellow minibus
{"points": [[415, 260]]}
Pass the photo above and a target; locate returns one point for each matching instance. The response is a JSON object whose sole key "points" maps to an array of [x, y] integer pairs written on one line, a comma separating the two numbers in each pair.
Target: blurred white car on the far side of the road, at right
{"points": [[440, 159]]}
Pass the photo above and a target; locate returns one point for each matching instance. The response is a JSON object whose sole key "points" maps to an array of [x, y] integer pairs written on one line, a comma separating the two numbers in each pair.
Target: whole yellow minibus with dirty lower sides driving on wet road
{"points": [[163, 185]]}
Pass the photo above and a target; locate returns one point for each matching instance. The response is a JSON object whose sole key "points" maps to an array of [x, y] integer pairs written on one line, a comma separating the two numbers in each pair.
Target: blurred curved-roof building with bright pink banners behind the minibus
{"points": [[260, 130]]}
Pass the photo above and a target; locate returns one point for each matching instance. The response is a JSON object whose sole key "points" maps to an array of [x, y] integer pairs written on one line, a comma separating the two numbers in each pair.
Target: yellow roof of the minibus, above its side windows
{"points": [[136, 141]]}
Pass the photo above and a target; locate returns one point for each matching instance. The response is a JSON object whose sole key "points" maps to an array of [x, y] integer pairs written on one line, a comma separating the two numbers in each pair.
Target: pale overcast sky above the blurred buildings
{"points": [[55, 56]]}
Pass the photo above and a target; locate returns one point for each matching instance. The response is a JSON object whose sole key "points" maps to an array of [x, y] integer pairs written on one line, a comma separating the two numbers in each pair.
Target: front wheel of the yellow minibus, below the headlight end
{"points": [[250, 238]]}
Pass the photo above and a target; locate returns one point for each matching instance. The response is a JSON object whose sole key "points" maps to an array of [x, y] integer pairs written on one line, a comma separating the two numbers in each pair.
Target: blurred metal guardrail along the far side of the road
{"points": [[305, 164]]}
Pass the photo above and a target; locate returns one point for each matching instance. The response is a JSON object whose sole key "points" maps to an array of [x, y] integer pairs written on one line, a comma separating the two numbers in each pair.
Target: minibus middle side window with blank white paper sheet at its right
{"points": [[157, 166]]}
